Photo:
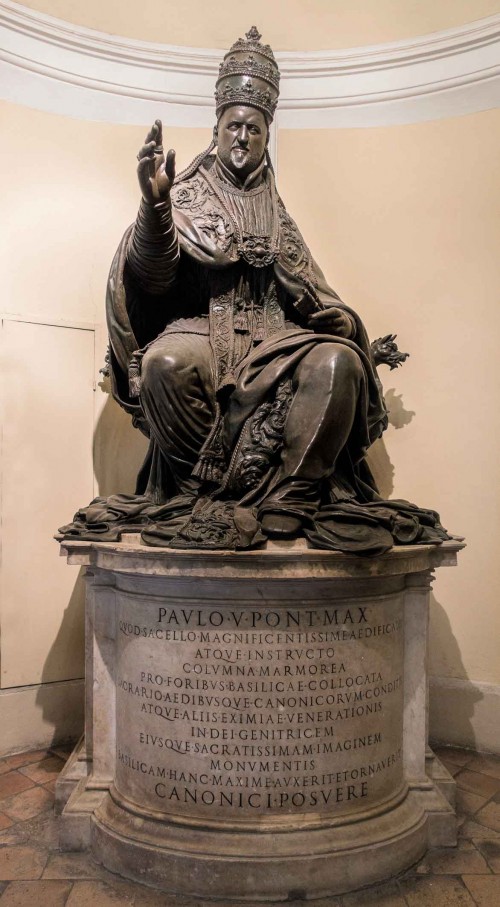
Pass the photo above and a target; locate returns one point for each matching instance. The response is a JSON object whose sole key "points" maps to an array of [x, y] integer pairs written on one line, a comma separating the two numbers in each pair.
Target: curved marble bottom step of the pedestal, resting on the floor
{"points": [[269, 866]]}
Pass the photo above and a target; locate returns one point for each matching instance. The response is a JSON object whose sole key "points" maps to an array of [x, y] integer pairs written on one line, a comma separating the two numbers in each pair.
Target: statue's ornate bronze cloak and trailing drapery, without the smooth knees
{"points": [[250, 399]]}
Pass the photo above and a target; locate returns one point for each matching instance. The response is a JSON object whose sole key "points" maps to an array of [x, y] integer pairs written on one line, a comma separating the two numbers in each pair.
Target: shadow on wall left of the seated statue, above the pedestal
{"points": [[119, 448]]}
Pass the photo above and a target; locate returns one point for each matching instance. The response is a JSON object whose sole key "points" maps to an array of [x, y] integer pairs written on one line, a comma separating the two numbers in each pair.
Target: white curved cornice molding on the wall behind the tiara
{"points": [[67, 69]]}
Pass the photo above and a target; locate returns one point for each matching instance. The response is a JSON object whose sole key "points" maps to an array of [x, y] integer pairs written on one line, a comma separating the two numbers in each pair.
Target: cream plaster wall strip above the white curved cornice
{"points": [[285, 24]]}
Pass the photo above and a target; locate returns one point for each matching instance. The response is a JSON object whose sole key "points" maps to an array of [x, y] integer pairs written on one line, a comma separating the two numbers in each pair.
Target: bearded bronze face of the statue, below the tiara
{"points": [[241, 139]]}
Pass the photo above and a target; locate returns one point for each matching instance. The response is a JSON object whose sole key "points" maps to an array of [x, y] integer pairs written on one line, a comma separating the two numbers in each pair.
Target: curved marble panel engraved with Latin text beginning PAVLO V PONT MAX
{"points": [[273, 710]]}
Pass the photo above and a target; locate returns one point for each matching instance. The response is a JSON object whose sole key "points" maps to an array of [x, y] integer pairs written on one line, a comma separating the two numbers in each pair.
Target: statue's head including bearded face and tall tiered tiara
{"points": [[246, 95]]}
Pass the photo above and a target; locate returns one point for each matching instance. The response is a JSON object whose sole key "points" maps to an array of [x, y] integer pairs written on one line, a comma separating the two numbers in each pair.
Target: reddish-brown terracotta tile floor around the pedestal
{"points": [[35, 873]]}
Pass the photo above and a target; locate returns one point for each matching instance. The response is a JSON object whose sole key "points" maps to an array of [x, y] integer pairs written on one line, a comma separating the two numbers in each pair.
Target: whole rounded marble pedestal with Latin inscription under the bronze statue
{"points": [[256, 721]]}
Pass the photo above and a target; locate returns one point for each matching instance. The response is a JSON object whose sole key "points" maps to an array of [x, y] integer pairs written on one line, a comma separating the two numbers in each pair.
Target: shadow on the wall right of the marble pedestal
{"points": [[452, 703]]}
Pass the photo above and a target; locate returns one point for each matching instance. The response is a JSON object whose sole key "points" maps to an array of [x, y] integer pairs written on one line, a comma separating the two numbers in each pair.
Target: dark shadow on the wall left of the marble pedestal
{"points": [[62, 703]]}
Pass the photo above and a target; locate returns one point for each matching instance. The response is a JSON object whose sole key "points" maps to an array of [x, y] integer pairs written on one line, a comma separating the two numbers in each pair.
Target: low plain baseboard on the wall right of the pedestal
{"points": [[465, 713]]}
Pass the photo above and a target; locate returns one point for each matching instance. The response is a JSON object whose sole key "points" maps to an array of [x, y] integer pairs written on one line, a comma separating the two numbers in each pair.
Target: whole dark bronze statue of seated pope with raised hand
{"points": [[254, 382]]}
